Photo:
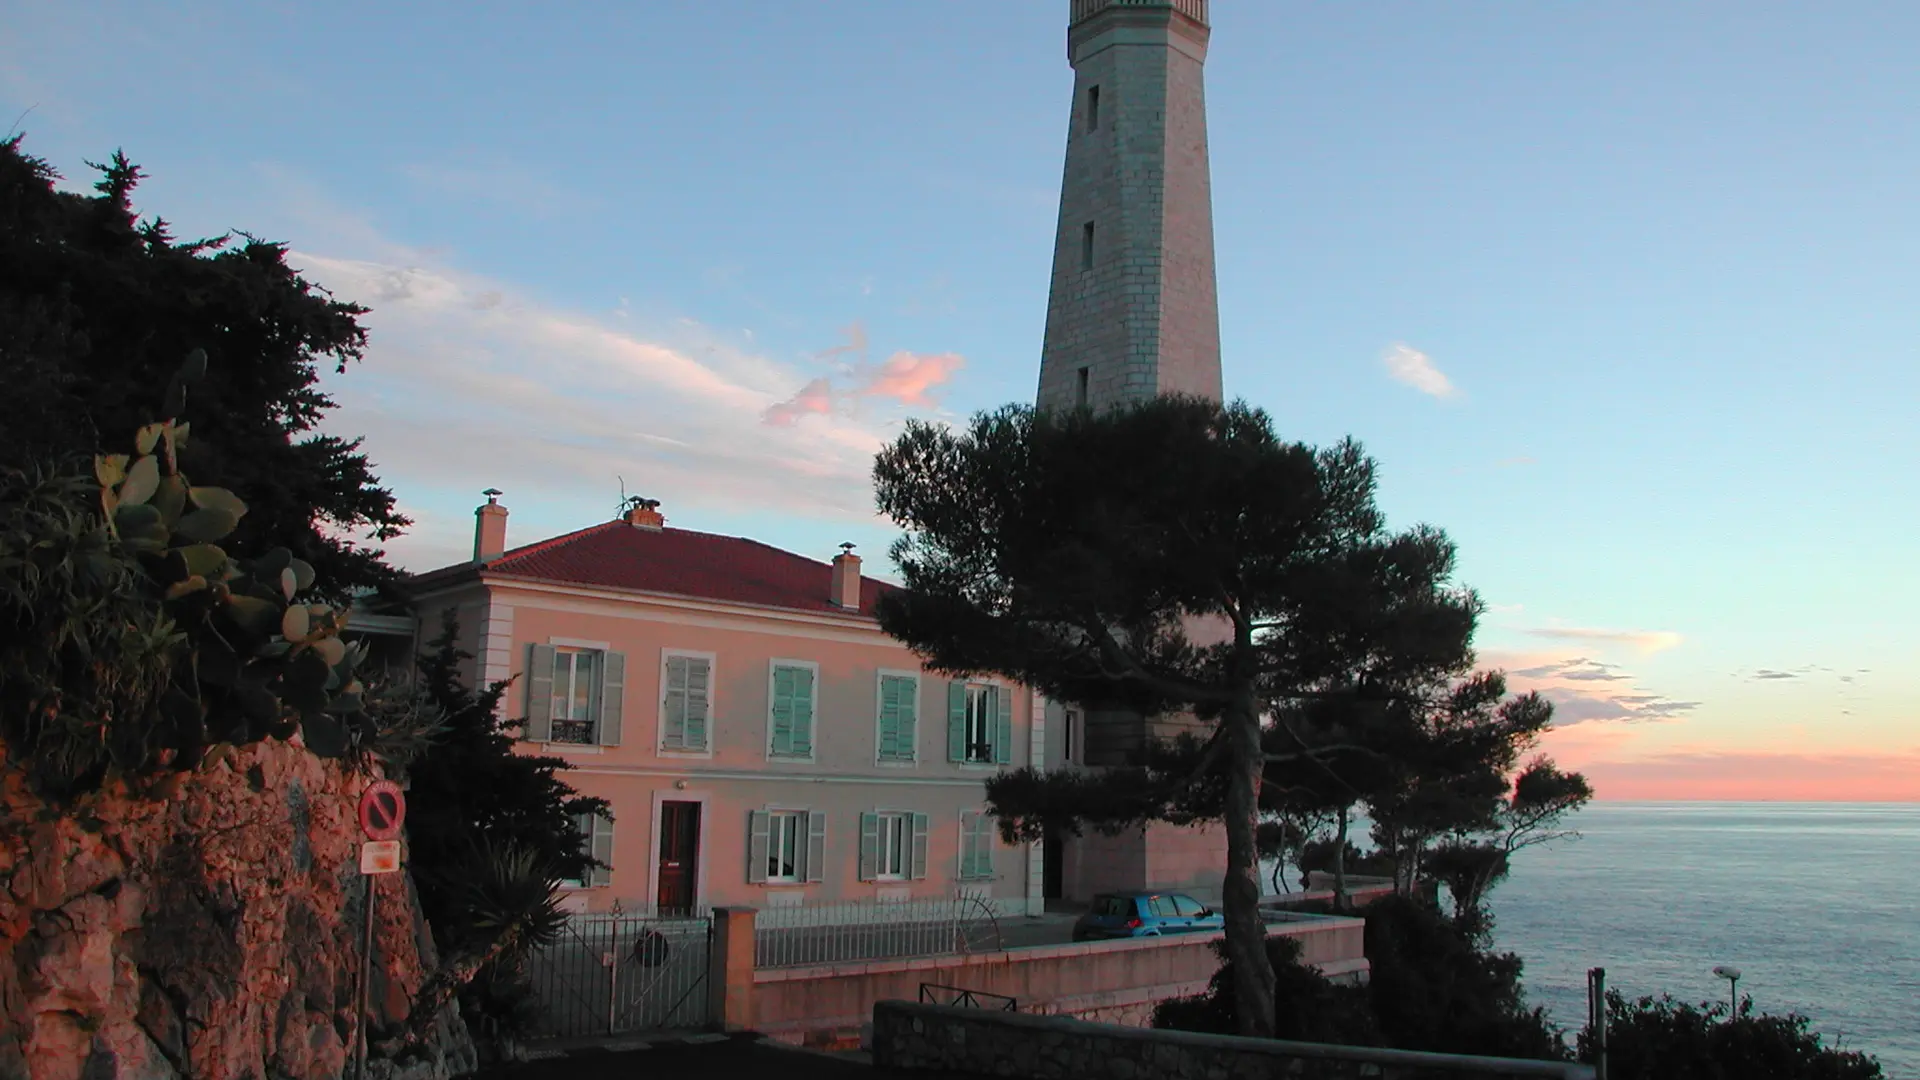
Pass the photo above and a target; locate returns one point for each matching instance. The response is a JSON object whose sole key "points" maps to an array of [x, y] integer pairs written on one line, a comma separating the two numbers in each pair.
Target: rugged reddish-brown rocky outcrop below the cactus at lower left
{"points": [[206, 927]]}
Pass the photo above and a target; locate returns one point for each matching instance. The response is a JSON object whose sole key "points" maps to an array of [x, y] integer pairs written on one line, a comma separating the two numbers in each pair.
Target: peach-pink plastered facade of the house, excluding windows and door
{"points": [[844, 779]]}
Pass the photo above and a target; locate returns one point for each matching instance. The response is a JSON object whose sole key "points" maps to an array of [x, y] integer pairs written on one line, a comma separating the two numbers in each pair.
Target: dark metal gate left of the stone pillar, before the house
{"points": [[623, 973]]}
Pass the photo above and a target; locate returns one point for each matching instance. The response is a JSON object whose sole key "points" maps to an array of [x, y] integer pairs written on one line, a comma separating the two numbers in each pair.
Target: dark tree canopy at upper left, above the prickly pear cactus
{"points": [[99, 307]]}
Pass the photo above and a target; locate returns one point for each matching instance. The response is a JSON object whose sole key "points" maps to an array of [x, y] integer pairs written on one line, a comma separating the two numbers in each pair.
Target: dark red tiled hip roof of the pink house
{"points": [[679, 562]]}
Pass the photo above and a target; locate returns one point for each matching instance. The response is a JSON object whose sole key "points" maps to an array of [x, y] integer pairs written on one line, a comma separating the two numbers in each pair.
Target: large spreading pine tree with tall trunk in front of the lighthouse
{"points": [[1168, 558]]}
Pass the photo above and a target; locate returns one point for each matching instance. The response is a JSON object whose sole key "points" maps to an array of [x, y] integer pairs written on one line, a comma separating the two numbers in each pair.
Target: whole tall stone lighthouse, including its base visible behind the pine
{"points": [[1132, 314]]}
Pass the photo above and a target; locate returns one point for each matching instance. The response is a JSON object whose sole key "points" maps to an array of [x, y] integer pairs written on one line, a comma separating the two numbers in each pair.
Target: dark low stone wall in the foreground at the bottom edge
{"points": [[1007, 1044]]}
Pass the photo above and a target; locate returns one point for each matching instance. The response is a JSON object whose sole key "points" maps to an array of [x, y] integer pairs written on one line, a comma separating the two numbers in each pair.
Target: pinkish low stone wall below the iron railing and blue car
{"points": [[1099, 981]]}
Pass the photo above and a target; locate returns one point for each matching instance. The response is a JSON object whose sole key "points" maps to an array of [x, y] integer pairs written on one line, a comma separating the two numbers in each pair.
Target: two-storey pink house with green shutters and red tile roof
{"points": [[759, 739]]}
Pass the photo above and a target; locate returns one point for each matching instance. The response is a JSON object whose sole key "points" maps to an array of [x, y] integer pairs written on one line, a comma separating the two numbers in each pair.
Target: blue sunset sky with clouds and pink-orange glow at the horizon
{"points": [[1620, 295]]}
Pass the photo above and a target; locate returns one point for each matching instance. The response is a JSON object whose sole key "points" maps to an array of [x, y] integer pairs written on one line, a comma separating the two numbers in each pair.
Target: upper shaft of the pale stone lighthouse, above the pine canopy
{"points": [[1134, 312]]}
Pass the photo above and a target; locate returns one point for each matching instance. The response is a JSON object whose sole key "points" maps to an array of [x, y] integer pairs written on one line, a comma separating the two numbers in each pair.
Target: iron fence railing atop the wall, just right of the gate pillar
{"points": [[875, 931]]}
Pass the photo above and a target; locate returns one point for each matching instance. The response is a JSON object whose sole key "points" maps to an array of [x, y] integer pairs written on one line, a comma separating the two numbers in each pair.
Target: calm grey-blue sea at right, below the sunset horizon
{"points": [[1815, 904]]}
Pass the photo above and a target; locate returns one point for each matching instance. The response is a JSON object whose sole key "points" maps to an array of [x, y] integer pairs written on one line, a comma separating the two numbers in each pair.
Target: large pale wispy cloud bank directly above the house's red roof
{"points": [[473, 385]]}
